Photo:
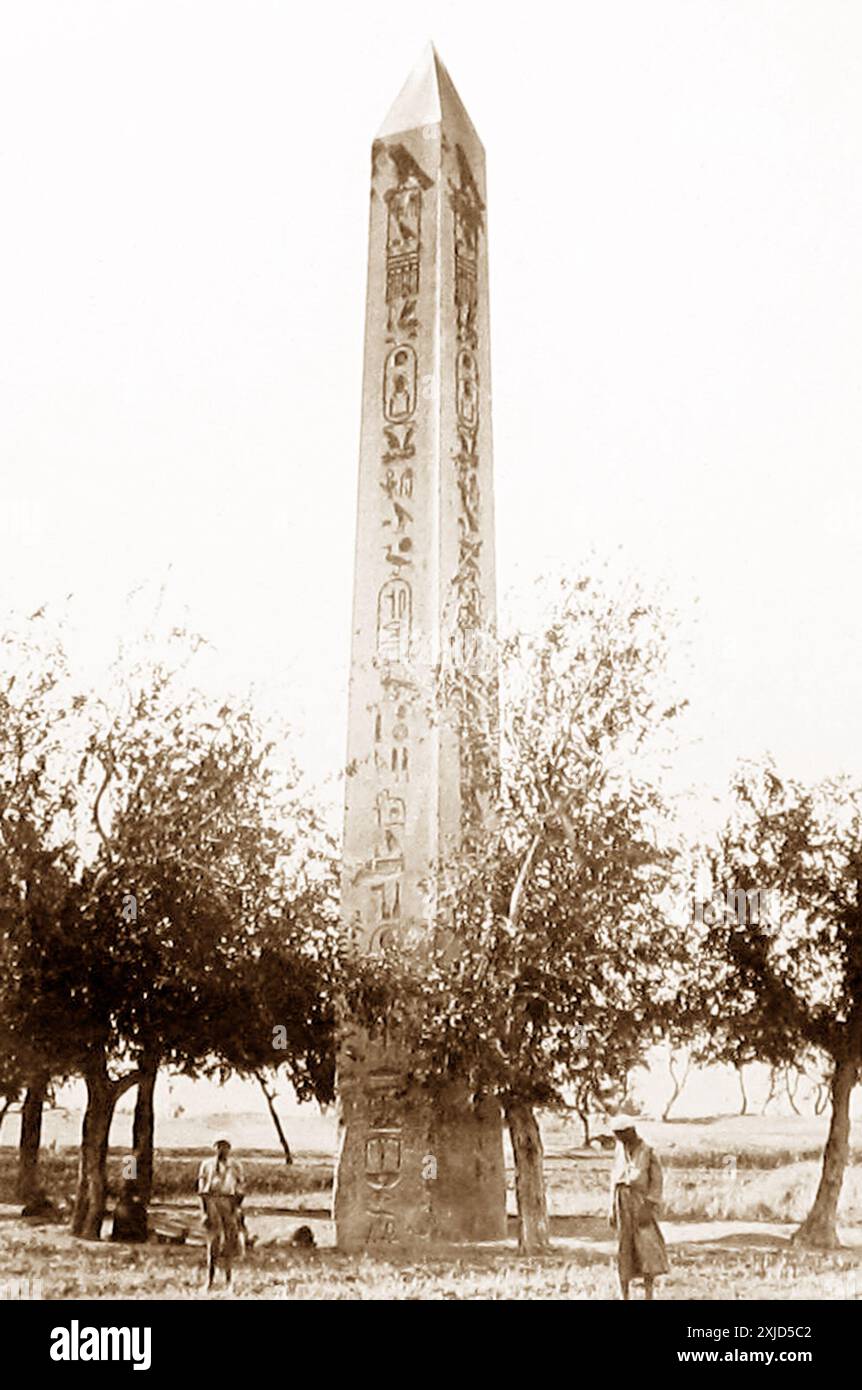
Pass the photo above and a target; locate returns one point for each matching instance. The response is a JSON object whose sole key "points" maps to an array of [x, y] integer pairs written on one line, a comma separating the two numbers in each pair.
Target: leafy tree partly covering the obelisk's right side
{"points": [[547, 964]]}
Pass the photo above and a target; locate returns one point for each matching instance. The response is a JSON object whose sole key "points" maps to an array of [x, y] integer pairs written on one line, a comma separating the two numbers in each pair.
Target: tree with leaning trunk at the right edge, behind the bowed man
{"points": [[788, 979]]}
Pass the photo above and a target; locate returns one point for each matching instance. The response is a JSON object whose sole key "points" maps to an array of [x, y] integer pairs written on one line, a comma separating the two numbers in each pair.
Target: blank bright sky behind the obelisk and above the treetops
{"points": [[675, 222]]}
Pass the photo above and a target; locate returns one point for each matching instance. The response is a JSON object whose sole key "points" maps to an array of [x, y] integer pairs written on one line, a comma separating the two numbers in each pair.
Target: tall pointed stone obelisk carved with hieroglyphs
{"points": [[425, 589]]}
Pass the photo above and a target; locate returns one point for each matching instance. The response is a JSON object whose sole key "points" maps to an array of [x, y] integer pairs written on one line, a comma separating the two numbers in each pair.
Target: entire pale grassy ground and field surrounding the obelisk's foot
{"points": [[735, 1189]]}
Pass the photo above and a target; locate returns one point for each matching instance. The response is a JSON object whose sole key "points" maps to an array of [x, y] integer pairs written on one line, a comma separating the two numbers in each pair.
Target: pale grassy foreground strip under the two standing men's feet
{"points": [[707, 1261]]}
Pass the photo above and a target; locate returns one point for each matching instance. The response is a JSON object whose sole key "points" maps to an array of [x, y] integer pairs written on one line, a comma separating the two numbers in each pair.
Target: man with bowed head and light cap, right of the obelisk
{"points": [[636, 1195]]}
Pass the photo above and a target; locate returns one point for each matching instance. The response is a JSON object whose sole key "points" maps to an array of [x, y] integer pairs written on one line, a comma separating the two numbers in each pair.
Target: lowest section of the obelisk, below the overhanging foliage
{"points": [[415, 1172]]}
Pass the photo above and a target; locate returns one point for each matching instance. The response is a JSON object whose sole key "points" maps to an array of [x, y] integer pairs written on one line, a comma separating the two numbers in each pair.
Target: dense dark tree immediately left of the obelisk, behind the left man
{"points": [[198, 826]]}
